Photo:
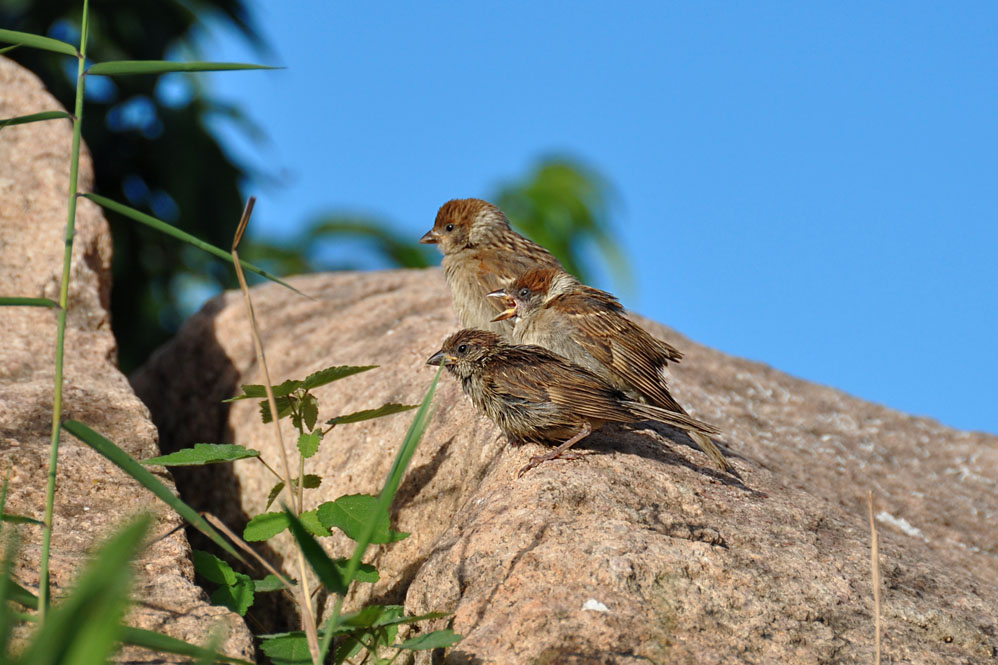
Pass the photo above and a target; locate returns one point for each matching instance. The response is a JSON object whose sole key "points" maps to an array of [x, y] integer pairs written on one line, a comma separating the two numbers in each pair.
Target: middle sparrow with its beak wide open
{"points": [[550, 308]]}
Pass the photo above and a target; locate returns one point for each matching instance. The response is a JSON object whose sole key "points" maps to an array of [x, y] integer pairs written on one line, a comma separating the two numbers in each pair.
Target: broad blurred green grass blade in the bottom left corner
{"points": [[84, 627]]}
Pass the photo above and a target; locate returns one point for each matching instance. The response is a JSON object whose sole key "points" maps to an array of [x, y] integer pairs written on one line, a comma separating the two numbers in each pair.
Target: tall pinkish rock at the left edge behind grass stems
{"points": [[94, 497]]}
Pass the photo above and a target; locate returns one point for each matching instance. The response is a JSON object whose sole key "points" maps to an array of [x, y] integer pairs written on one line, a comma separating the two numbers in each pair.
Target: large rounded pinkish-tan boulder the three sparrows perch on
{"points": [[640, 552]]}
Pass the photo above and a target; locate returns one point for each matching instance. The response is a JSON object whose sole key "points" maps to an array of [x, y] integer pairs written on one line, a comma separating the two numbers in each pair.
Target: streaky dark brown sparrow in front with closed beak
{"points": [[535, 395]]}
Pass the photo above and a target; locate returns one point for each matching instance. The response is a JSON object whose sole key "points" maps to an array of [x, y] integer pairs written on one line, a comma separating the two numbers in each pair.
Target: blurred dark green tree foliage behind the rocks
{"points": [[153, 148]]}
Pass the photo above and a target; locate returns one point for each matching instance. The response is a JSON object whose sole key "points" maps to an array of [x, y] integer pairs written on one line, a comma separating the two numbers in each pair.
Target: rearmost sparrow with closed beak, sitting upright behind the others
{"points": [[481, 254]]}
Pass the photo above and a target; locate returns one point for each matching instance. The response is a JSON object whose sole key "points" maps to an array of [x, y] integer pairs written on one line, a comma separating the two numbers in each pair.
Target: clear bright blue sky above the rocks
{"points": [[814, 186]]}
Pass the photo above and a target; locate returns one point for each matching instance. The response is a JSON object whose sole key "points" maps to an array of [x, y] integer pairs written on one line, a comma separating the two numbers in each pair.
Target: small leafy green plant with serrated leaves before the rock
{"points": [[360, 516]]}
